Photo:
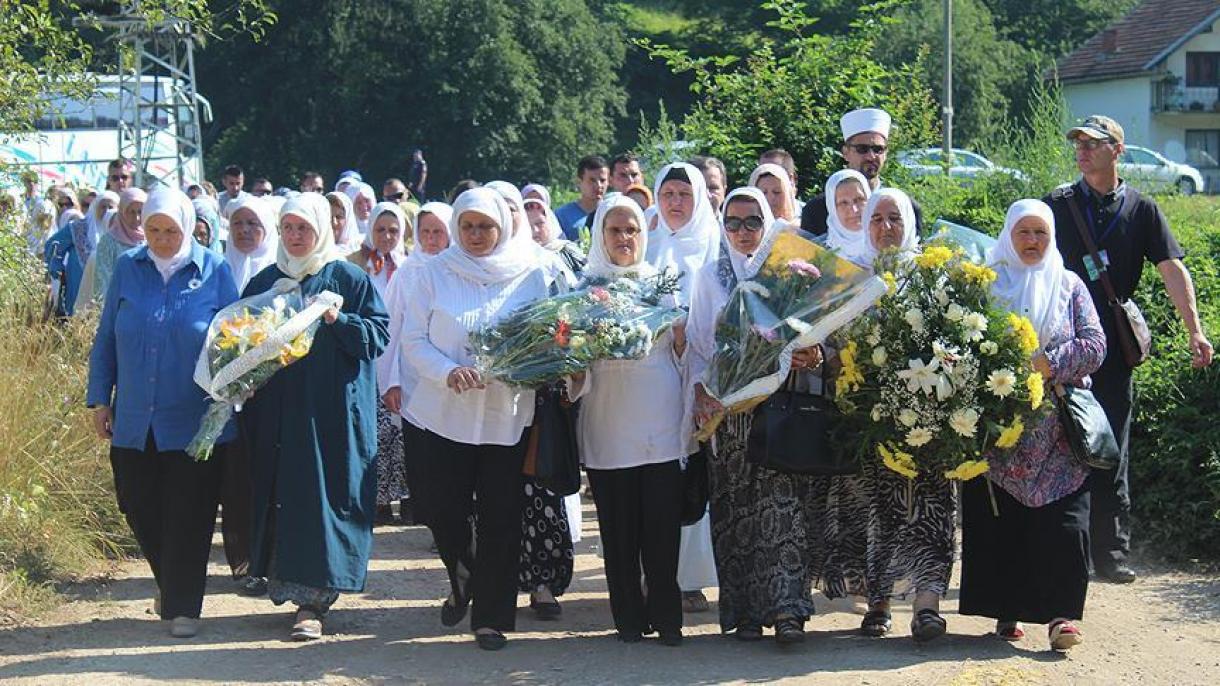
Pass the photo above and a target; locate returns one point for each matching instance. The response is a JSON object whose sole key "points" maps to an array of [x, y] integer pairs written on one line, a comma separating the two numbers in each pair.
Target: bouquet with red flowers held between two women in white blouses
{"points": [[548, 340]]}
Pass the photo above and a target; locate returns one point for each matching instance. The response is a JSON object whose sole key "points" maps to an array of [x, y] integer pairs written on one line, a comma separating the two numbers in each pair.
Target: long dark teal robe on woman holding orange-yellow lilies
{"points": [[313, 433]]}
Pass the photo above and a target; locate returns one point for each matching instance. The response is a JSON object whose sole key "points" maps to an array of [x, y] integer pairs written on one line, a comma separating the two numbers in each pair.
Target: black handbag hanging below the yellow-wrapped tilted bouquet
{"points": [[791, 435]]}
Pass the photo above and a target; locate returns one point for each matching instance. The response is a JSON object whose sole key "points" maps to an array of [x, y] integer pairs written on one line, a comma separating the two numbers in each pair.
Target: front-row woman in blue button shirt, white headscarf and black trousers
{"points": [[154, 323]]}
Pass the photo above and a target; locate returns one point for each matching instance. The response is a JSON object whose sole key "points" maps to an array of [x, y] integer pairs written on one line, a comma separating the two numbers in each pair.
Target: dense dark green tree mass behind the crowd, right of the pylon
{"points": [[489, 88]]}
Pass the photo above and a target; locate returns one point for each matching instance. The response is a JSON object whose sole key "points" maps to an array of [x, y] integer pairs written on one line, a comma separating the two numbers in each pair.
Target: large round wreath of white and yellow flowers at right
{"points": [[938, 374]]}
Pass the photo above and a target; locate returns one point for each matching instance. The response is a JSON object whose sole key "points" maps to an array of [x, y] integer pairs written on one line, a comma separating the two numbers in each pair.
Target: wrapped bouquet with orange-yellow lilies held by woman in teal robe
{"points": [[248, 342]]}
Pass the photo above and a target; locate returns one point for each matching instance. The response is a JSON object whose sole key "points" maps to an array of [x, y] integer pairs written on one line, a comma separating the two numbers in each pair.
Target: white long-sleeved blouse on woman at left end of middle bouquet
{"points": [[443, 308]]}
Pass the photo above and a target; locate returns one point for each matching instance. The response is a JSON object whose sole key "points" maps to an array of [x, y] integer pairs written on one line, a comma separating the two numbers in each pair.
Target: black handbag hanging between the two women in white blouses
{"points": [[553, 456]]}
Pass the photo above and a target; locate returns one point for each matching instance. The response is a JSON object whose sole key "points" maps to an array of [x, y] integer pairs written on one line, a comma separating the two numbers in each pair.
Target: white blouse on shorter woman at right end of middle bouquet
{"points": [[633, 411]]}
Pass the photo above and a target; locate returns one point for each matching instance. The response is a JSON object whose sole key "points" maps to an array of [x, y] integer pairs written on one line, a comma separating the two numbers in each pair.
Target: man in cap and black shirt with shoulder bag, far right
{"points": [[1128, 230]]}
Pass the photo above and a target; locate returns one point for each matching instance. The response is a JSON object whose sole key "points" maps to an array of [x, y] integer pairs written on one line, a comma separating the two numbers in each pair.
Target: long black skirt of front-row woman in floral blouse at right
{"points": [[1028, 565]]}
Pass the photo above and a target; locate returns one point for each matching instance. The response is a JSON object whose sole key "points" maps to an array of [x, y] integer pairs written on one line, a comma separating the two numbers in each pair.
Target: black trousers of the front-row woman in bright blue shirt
{"points": [[170, 504]]}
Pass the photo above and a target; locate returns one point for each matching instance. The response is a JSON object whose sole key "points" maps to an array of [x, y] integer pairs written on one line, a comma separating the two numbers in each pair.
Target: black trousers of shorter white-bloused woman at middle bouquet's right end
{"points": [[640, 513]]}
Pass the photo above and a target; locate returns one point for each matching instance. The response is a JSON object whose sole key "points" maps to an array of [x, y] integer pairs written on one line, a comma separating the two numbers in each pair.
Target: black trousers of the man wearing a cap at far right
{"points": [[1111, 508]]}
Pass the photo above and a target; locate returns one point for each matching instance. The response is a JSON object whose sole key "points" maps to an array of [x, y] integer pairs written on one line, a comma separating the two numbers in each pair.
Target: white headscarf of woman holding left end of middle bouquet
{"points": [[509, 259]]}
